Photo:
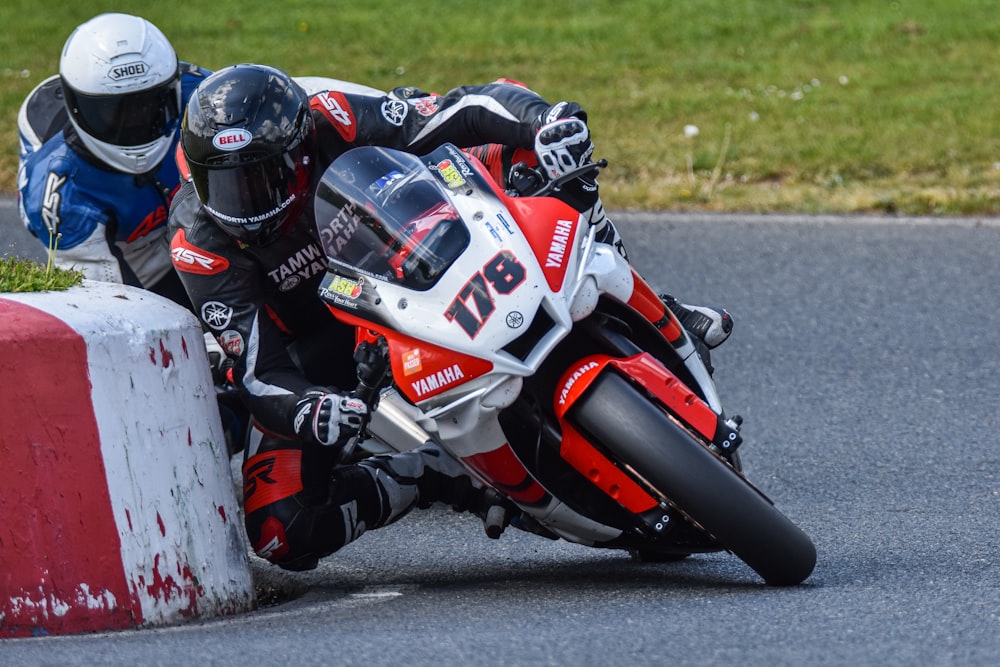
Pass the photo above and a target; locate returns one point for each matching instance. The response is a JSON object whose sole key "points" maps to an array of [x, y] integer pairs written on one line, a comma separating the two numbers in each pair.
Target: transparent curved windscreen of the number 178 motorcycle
{"points": [[384, 214]]}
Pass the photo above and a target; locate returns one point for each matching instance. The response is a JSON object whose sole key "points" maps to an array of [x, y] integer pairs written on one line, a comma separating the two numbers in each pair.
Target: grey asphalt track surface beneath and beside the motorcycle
{"points": [[864, 364]]}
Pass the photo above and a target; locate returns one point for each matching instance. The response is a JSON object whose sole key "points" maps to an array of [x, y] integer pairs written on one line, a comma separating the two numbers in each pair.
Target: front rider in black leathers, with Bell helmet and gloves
{"points": [[245, 246]]}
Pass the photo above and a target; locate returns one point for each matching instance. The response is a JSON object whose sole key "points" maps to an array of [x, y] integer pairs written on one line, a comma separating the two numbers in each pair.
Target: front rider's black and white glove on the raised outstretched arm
{"points": [[564, 145]]}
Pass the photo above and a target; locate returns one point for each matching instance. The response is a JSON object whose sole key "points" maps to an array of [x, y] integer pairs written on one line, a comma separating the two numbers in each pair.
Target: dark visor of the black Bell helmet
{"points": [[252, 200]]}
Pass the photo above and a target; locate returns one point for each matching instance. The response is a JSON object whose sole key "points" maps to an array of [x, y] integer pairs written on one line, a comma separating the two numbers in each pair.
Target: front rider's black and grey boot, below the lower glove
{"points": [[425, 475]]}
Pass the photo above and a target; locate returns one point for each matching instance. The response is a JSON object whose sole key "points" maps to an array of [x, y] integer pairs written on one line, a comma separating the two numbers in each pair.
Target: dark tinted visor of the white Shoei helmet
{"points": [[132, 119]]}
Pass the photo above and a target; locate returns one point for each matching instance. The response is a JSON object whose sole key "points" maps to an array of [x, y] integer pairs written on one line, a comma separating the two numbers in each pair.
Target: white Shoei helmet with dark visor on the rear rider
{"points": [[121, 81]]}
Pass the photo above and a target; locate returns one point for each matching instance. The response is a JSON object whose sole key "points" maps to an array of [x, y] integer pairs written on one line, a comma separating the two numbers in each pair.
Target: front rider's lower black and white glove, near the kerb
{"points": [[327, 418]]}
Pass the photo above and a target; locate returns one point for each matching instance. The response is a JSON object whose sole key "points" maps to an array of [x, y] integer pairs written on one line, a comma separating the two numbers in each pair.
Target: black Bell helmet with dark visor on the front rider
{"points": [[249, 142]]}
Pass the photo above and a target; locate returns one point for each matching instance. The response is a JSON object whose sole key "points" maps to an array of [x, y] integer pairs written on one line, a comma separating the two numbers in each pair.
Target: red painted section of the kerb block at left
{"points": [[57, 531]]}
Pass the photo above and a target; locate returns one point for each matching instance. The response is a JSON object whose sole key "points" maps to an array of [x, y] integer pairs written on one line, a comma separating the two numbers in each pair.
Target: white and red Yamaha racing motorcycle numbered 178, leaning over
{"points": [[492, 323]]}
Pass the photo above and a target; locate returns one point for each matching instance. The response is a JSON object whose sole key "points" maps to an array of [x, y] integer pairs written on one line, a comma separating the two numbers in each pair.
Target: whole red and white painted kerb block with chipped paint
{"points": [[117, 506]]}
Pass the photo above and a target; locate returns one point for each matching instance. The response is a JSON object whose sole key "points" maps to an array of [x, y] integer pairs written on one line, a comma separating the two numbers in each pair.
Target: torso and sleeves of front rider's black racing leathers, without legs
{"points": [[261, 302]]}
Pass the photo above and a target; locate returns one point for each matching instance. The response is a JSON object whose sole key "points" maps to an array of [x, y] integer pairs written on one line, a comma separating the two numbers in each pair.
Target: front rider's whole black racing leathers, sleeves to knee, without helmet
{"points": [[262, 305]]}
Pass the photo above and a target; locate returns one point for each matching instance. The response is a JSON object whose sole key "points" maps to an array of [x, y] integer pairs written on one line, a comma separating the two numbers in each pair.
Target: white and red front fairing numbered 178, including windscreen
{"points": [[429, 263]]}
